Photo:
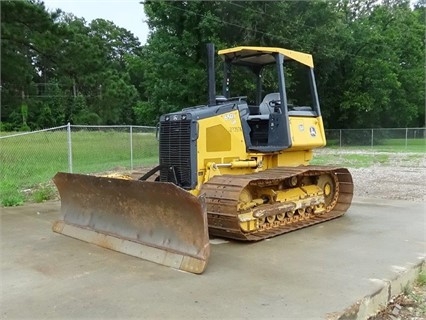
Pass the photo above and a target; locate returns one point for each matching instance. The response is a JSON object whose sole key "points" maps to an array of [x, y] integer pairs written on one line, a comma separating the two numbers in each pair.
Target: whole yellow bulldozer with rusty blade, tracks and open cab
{"points": [[236, 167]]}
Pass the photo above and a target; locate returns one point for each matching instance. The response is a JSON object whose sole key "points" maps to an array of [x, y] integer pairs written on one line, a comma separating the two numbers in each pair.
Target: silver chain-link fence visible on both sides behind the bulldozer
{"points": [[33, 158]]}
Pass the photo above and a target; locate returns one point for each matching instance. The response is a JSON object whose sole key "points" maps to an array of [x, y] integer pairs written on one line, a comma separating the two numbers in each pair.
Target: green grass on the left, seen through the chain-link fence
{"points": [[30, 161]]}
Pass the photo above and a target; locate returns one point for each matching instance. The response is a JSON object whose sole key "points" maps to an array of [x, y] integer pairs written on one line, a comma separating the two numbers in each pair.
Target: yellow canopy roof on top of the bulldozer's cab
{"points": [[264, 55]]}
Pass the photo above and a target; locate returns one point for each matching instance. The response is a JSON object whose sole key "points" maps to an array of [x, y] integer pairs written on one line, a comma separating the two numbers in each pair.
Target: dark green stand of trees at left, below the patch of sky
{"points": [[55, 62]]}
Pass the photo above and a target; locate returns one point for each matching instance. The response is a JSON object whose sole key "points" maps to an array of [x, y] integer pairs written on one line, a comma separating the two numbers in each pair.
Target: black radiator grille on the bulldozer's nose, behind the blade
{"points": [[175, 153]]}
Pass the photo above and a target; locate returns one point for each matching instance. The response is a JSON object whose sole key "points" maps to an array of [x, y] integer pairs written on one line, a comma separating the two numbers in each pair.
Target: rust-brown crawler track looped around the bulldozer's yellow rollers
{"points": [[223, 194]]}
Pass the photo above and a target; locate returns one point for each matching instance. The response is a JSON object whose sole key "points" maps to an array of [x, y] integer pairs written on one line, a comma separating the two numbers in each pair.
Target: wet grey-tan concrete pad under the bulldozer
{"points": [[313, 273]]}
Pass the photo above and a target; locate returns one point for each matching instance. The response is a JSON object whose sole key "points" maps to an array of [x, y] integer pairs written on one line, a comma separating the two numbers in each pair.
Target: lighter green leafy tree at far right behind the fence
{"points": [[382, 68]]}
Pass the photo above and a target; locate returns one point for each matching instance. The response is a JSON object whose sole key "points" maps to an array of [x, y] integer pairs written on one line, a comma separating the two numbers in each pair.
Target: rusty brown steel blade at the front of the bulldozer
{"points": [[155, 221]]}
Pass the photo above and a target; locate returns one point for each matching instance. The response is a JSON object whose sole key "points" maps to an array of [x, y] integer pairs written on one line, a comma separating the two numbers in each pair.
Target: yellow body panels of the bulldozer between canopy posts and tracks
{"points": [[221, 147]]}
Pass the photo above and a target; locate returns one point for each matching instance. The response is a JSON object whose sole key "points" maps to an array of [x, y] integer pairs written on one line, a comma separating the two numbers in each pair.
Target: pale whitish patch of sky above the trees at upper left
{"points": [[126, 14]]}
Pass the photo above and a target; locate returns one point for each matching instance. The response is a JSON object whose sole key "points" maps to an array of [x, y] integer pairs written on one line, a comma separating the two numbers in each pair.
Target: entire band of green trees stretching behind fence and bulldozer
{"points": [[368, 54]]}
